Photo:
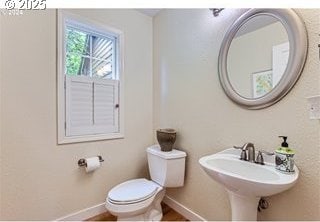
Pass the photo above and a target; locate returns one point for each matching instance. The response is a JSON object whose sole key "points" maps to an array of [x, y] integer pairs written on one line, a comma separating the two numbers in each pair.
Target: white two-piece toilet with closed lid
{"points": [[139, 199]]}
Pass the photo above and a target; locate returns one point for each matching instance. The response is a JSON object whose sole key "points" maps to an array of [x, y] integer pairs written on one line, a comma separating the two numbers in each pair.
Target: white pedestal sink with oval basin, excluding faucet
{"points": [[246, 182]]}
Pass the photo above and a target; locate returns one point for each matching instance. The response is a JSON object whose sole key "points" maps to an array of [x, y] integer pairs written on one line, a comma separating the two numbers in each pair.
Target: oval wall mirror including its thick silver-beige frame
{"points": [[262, 56]]}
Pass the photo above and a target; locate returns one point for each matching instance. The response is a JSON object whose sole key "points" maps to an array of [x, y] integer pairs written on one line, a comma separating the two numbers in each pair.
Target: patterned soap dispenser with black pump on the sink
{"points": [[284, 157]]}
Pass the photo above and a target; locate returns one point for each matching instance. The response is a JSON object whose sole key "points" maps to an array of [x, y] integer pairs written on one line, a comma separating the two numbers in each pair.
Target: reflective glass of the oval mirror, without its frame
{"points": [[258, 56]]}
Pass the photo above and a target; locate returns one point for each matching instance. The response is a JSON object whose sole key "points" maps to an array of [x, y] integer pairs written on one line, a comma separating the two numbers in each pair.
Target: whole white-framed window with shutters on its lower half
{"points": [[89, 80]]}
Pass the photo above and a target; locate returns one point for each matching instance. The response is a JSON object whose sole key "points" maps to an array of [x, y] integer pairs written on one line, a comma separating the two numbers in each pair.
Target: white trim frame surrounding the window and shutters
{"points": [[64, 16]]}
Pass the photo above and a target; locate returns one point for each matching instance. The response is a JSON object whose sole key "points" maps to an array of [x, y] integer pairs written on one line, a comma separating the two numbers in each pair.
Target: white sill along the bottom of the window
{"points": [[89, 138]]}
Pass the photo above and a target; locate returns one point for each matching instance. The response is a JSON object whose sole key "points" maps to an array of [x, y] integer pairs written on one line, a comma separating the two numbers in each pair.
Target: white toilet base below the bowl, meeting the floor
{"points": [[153, 212]]}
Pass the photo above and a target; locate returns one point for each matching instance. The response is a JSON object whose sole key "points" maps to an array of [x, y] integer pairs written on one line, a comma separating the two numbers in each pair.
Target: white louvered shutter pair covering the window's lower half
{"points": [[91, 106]]}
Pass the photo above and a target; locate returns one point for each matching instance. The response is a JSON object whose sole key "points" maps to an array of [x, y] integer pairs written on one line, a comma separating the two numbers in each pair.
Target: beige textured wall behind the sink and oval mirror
{"points": [[189, 98]]}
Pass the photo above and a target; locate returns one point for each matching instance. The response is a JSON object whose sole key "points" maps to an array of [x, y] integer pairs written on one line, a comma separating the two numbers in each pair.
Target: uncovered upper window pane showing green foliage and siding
{"points": [[88, 54]]}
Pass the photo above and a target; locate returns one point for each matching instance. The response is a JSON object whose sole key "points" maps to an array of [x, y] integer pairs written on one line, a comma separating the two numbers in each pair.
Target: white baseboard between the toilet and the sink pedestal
{"points": [[184, 211]]}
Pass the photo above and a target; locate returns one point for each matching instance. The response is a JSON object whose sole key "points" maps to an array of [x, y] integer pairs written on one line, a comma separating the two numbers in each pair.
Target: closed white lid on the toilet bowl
{"points": [[132, 191]]}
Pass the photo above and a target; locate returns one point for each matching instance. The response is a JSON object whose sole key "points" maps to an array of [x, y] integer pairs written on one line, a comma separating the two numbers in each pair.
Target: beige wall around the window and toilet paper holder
{"points": [[39, 179]]}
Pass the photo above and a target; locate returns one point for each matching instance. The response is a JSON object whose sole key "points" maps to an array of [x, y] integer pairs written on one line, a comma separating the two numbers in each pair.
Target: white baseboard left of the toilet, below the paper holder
{"points": [[85, 213]]}
